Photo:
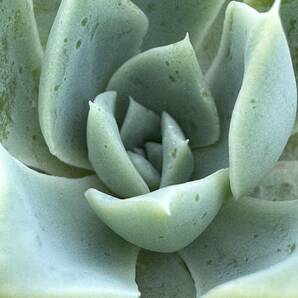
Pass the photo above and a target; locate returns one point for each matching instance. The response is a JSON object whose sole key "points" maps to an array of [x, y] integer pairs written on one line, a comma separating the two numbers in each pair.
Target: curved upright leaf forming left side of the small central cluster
{"points": [[106, 151]]}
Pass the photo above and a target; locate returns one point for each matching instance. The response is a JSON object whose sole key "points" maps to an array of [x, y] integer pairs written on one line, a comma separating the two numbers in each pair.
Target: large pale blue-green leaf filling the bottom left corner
{"points": [[51, 243]]}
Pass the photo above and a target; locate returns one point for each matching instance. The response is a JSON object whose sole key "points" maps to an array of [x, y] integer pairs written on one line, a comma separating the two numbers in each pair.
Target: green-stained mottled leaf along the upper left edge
{"points": [[20, 59]]}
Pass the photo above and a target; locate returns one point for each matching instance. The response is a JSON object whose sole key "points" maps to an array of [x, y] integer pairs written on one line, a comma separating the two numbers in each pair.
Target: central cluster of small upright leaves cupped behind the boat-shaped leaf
{"points": [[146, 152]]}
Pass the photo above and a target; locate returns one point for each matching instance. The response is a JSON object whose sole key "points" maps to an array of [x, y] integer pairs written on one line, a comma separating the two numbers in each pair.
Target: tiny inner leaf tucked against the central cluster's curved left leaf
{"points": [[150, 175]]}
